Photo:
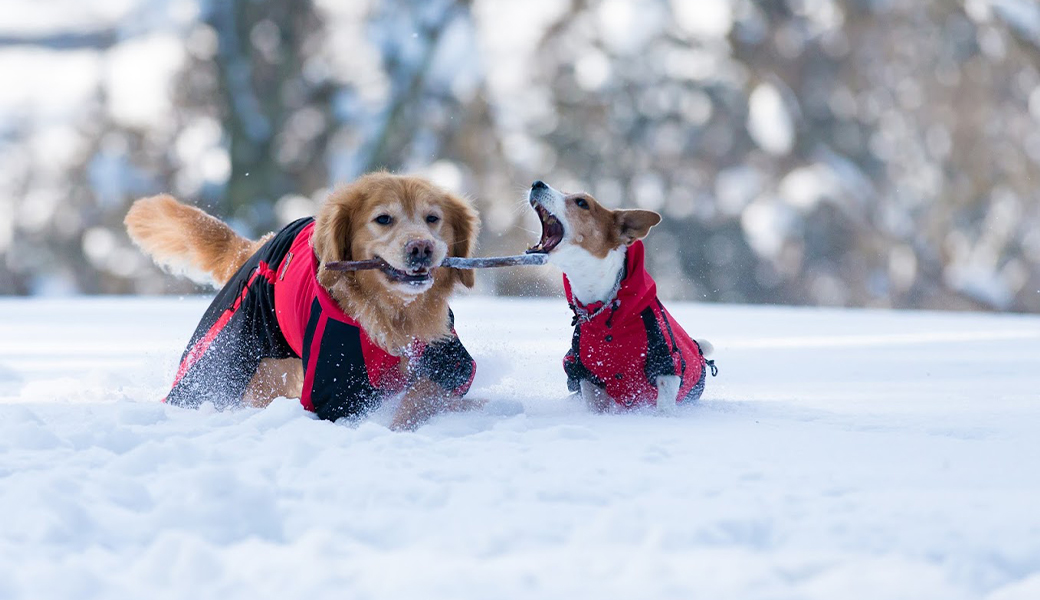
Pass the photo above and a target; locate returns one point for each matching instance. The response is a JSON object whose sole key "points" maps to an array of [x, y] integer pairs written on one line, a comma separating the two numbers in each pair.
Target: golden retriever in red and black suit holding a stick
{"points": [[283, 325]]}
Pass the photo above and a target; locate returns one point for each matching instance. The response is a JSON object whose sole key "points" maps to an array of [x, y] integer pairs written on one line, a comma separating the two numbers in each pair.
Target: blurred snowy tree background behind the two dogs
{"points": [[867, 153]]}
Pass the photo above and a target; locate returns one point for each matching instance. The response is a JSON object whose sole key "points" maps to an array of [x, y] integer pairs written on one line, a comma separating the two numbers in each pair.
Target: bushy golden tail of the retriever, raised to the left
{"points": [[187, 241]]}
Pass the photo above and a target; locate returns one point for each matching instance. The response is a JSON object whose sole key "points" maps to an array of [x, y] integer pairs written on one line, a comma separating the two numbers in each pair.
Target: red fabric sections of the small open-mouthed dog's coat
{"points": [[617, 355]]}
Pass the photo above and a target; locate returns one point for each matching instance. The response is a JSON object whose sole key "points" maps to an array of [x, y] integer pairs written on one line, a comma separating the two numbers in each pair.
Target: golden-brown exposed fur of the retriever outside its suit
{"points": [[177, 236]]}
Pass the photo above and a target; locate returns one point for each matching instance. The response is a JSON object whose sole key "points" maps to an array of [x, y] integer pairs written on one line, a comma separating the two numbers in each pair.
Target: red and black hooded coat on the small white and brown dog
{"points": [[623, 346]]}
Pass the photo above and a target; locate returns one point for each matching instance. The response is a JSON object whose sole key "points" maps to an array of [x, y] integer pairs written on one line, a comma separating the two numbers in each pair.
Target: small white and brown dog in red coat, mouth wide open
{"points": [[627, 351]]}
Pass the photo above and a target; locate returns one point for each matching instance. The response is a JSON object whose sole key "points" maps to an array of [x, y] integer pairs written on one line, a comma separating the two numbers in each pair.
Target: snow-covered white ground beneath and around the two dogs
{"points": [[839, 455]]}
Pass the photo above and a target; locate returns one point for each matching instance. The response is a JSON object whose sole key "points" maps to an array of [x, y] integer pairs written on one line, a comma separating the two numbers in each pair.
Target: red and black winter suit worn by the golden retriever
{"points": [[275, 307]]}
